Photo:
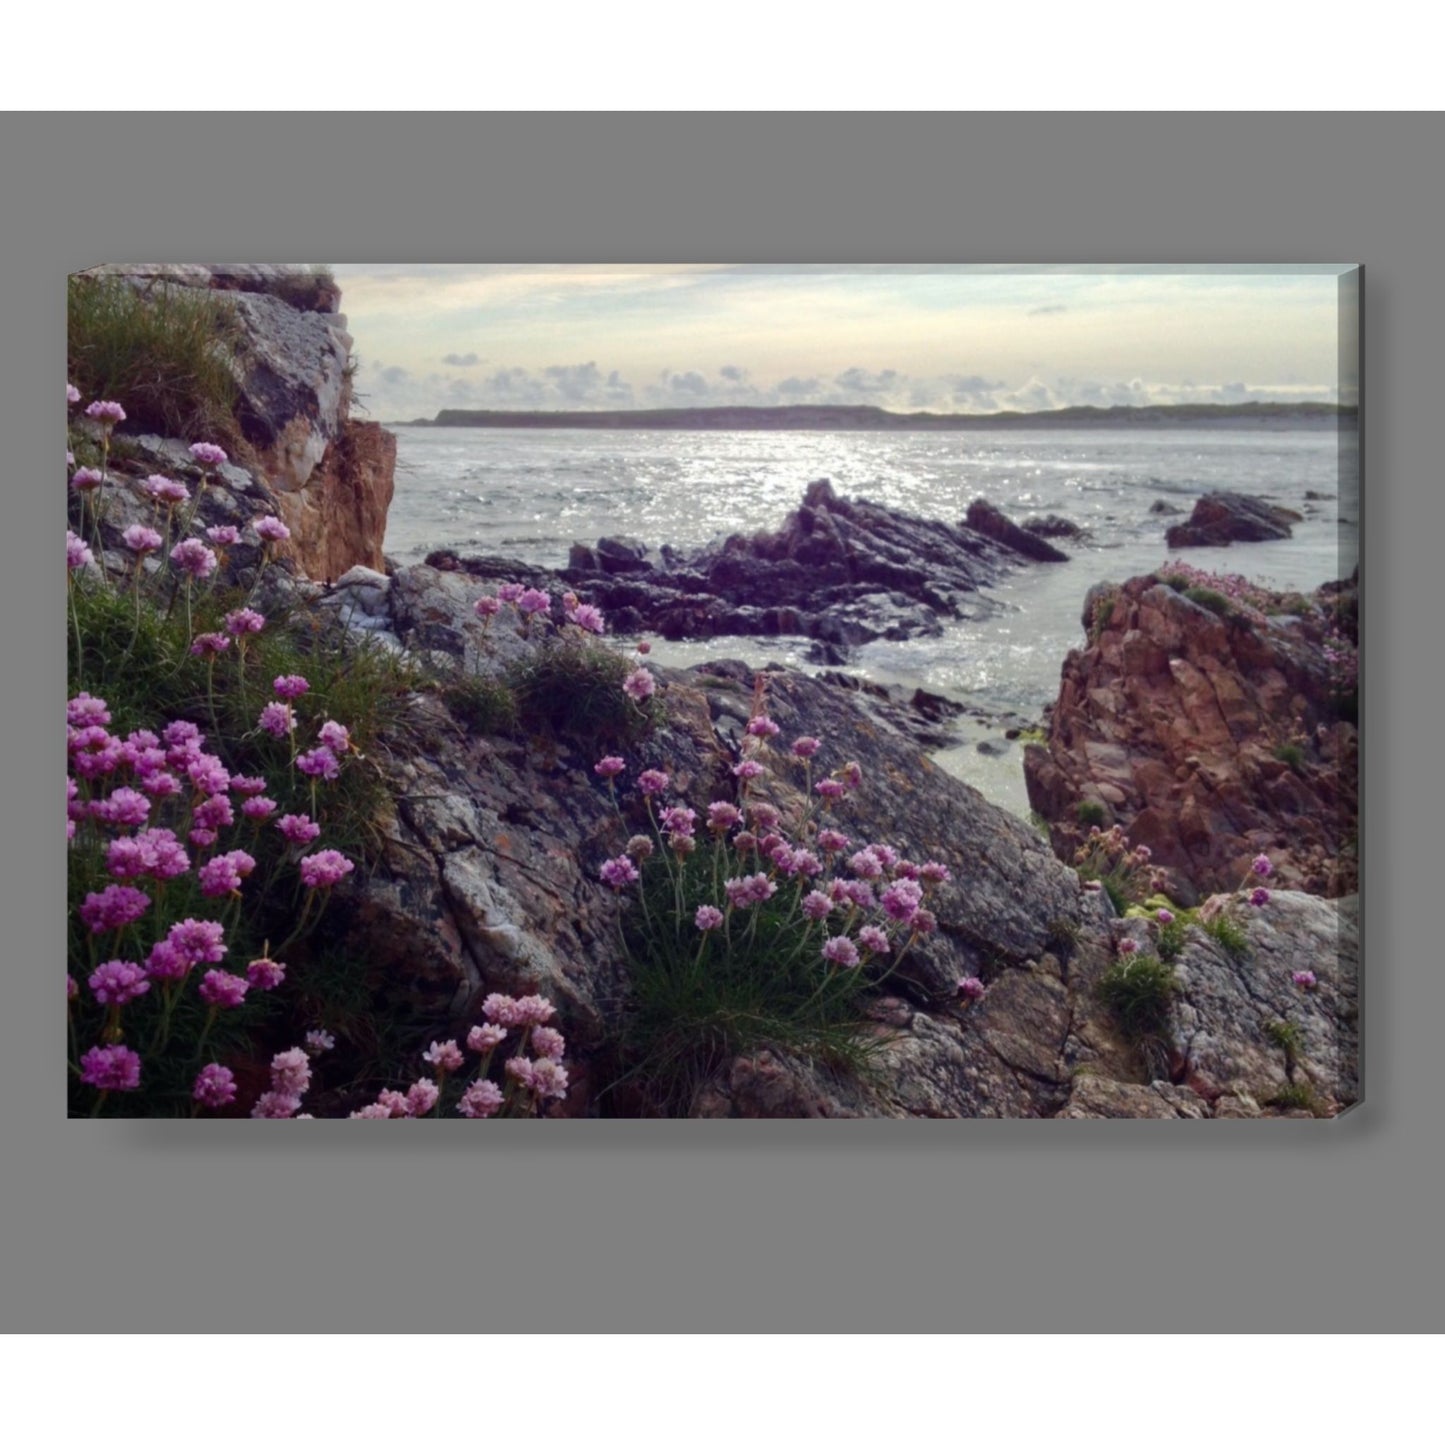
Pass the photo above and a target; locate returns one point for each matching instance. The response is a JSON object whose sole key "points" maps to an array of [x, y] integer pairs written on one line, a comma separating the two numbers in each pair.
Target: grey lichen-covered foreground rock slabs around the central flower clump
{"points": [[489, 881]]}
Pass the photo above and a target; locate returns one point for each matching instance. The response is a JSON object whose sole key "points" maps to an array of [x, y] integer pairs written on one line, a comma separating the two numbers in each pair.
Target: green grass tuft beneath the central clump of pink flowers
{"points": [[700, 1001]]}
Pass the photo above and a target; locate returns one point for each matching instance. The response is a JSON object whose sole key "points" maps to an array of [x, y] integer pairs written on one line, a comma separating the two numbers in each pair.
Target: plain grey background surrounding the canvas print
{"points": [[860, 1226]]}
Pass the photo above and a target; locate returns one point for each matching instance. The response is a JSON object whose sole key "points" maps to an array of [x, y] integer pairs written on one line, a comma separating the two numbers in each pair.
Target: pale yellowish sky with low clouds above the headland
{"points": [[963, 339]]}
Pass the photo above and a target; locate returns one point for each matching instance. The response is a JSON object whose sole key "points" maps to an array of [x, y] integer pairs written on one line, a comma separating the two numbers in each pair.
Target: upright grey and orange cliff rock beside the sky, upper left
{"points": [[329, 478]]}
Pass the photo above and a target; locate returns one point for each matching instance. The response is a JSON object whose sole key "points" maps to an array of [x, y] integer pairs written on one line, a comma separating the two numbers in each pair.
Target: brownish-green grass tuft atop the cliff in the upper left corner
{"points": [[164, 356]]}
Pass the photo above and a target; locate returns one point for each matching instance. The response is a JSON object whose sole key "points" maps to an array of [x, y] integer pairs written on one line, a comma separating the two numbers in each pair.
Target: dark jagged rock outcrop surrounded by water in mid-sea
{"points": [[840, 571]]}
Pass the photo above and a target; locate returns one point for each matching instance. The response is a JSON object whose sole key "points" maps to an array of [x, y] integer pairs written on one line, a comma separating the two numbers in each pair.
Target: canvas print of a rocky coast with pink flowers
{"points": [[514, 691]]}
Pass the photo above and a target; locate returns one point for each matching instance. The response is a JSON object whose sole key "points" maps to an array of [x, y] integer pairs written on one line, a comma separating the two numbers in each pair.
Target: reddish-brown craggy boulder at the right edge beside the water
{"points": [[1209, 738]]}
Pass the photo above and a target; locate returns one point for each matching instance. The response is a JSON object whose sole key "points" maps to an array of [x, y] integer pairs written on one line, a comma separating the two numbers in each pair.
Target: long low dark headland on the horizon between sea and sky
{"points": [[1275, 415]]}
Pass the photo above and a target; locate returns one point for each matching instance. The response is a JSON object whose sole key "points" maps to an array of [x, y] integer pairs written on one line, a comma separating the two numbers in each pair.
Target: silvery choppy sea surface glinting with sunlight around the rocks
{"points": [[532, 493]]}
